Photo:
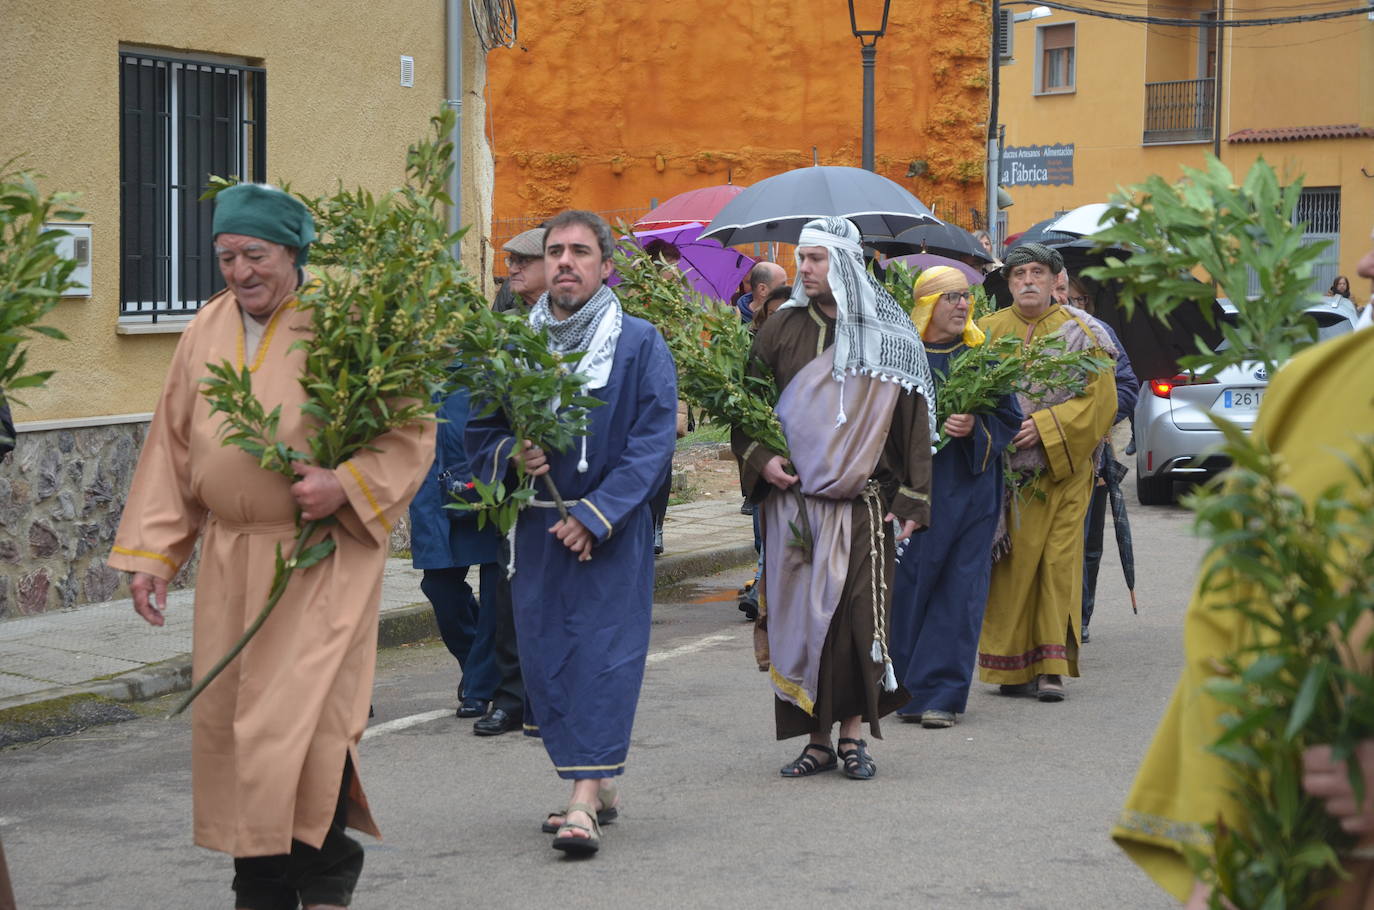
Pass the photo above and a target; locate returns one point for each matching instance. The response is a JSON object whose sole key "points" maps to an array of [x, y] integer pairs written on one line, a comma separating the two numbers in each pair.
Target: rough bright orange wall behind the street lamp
{"points": [[611, 105]]}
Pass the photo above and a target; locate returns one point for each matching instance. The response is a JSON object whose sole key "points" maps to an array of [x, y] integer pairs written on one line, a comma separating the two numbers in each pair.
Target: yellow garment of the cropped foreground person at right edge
{"points": [[1313, 413]]}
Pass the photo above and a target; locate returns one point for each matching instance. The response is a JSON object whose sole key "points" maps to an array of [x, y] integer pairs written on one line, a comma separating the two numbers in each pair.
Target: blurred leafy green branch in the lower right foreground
{"points": [[1302, 574]]}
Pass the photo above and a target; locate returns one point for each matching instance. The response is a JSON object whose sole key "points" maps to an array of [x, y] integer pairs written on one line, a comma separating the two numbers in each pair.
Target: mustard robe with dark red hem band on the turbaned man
{"points": [[1035, 597]]}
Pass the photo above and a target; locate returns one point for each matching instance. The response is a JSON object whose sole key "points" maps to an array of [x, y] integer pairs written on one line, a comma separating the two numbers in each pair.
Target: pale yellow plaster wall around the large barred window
{"points": [[336, 111]]}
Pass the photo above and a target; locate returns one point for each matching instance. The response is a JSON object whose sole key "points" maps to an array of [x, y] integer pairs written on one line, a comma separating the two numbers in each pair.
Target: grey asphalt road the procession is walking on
{"points": [[1009, 809]]}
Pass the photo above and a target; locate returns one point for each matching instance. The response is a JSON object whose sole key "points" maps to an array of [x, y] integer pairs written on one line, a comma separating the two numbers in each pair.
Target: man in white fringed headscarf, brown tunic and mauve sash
{"points": [[858, 412]]}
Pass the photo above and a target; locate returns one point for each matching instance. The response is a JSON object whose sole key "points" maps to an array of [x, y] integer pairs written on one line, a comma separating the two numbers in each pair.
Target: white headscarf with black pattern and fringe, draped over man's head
{"points": [[875, 336]]}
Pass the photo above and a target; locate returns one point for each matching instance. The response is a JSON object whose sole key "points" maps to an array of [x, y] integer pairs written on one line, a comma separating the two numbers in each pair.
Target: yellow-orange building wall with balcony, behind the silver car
{"points": [[1284, 76]]}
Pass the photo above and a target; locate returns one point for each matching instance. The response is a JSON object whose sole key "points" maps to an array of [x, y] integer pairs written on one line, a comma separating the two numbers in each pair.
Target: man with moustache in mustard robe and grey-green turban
{"points": [[1031, 626]]}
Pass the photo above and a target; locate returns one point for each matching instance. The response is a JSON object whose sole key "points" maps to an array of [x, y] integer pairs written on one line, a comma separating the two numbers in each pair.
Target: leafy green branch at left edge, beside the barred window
{"points": [[32, 273]]}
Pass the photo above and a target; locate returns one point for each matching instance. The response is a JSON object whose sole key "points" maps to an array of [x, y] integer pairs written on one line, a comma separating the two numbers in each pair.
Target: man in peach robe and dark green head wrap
{"points": [[274, 740]]}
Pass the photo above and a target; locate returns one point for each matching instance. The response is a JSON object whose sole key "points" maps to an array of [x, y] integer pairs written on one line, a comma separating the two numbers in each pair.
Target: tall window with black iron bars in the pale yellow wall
{"points": [[181, 122]]}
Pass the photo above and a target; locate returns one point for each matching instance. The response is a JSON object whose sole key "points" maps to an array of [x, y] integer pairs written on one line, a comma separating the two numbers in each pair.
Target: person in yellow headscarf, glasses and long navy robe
{"points": [[942, 582]]}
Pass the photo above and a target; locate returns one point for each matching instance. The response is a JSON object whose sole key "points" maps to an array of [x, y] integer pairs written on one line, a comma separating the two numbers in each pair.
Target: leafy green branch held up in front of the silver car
{"points": [[1230, 232]]}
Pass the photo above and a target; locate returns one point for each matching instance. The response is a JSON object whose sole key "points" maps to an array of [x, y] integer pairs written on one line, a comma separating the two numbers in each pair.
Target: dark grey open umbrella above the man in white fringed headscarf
{"points": [[776, 210]]}
